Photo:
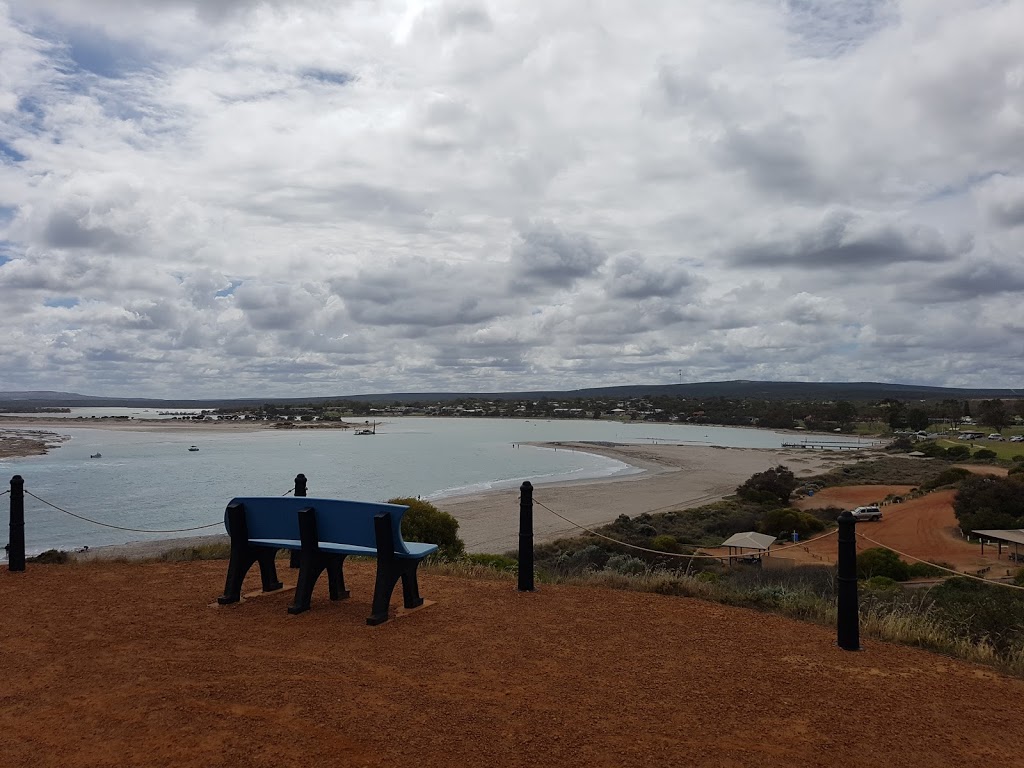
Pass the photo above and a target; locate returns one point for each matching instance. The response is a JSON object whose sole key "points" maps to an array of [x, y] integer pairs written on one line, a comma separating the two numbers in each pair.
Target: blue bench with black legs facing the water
{"points": [[324, 532]]}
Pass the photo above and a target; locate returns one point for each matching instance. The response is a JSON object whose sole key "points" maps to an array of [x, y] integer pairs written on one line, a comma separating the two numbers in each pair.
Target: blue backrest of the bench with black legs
{"points": [[338, 521]]}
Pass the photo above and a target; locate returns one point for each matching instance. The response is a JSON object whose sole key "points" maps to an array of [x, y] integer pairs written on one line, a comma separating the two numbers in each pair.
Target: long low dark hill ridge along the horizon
{"points": [[770, 391]]}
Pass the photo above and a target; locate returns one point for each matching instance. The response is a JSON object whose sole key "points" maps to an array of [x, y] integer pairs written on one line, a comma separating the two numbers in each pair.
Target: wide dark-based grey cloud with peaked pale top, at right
{"points": [[843, 241]]}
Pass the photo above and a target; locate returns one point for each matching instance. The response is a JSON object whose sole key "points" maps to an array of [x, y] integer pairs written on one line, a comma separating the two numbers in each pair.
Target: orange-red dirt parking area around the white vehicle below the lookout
{"points": [[925, 528]]}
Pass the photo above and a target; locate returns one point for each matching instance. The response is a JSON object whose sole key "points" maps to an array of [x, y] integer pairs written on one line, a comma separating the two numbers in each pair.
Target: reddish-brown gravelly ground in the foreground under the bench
{"points": [[111, 664]]}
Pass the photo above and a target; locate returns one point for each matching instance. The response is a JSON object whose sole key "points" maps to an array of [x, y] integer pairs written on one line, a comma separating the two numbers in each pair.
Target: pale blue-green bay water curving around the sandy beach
{"points": [[150, 481]]}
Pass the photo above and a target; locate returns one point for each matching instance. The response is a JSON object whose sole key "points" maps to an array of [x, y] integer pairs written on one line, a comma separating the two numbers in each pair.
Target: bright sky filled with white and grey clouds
{"points": [[215, 198]]}
